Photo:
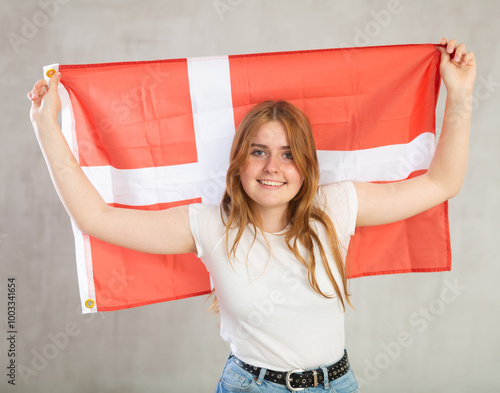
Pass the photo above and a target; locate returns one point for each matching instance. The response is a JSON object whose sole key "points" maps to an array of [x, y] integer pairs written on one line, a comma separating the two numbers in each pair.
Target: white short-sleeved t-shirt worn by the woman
{"points": [[269, 313]]}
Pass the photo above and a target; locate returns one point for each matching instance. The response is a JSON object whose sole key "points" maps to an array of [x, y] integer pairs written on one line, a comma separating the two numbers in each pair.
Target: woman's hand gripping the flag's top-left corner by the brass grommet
{"points": [[45, 101]]}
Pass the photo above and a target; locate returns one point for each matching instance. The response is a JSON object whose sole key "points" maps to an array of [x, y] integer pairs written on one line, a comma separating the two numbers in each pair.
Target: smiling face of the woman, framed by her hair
{"points": [[271, 178]]}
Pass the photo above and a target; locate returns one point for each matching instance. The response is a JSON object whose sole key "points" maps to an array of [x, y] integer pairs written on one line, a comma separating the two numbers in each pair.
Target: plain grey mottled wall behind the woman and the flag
{"points": [[174, 347]]}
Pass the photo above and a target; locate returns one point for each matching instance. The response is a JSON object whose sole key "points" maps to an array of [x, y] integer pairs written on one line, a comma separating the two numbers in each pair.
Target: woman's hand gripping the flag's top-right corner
{"points": [[459, 72]]}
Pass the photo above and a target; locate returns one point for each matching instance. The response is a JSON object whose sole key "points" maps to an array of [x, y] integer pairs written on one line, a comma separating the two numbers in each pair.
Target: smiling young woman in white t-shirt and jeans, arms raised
{"points": [[276, 246]]}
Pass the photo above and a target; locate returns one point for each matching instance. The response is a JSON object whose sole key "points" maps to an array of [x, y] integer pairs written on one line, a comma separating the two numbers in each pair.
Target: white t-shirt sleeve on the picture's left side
{"points": [[204, 220]]}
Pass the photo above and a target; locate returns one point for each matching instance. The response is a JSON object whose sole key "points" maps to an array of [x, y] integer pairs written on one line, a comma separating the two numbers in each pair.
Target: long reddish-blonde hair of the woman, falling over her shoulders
{"points": [[237, 205]]}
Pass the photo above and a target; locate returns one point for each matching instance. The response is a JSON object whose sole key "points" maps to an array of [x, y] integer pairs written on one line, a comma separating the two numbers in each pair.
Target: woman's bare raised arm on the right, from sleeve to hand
{"points": [[385, 203]]}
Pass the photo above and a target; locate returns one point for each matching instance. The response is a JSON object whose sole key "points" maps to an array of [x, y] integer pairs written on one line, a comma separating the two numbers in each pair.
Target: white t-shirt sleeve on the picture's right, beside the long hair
{"points": [[341, 205]]}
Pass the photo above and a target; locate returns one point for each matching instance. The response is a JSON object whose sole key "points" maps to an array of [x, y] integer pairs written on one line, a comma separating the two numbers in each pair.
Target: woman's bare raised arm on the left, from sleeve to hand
{"points": [[157, 232]]}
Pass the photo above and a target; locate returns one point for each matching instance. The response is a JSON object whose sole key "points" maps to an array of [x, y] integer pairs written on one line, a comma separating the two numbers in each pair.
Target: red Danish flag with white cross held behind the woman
{"points": [[155, 134]]}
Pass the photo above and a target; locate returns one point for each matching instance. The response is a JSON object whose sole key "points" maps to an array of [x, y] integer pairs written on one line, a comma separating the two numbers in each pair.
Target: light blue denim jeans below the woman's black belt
{"points": [[235, 379]]}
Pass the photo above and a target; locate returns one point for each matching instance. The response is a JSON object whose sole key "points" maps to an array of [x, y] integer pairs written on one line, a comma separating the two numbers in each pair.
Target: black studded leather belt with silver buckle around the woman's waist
{"points": [[296, 380]]}
